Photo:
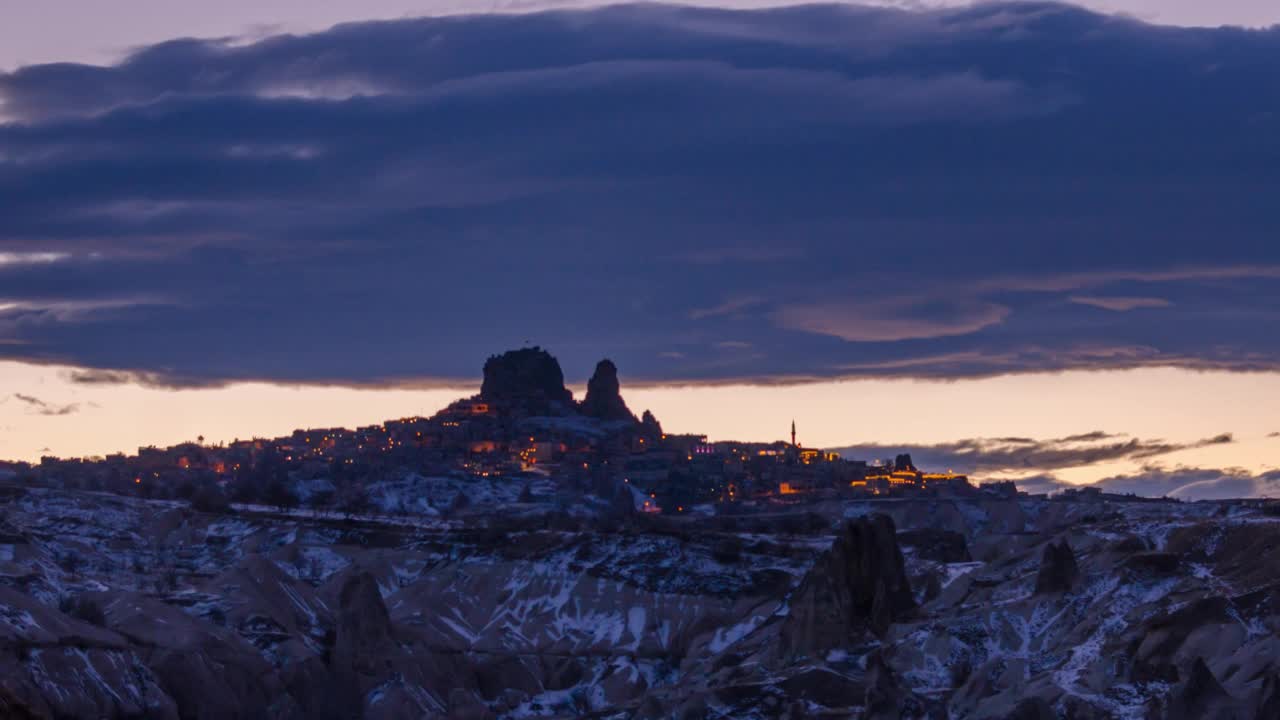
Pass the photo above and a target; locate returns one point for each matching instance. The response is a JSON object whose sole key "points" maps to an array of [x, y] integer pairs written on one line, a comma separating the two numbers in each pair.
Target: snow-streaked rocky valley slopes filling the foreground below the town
{"points": [[124, 608]]}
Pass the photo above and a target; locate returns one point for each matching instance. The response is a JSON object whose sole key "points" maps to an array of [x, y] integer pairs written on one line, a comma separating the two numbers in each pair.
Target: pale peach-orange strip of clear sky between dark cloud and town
{"points": [[1178, 407]]}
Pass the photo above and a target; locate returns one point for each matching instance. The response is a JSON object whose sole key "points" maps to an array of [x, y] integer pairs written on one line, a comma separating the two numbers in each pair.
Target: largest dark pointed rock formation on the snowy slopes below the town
{"points": [[860, 585]]}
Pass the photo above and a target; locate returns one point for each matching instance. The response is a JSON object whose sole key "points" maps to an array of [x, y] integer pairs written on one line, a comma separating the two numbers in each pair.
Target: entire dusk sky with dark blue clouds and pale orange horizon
{"points": [[975, 231]]}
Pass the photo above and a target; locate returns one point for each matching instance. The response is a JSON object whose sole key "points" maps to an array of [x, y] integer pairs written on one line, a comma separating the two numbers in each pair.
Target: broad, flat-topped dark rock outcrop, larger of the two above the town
{"points": [[528, 381]]}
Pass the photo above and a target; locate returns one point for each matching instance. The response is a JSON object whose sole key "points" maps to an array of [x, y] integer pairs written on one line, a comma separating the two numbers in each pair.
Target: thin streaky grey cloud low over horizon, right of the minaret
{"points": [[989, 457]]}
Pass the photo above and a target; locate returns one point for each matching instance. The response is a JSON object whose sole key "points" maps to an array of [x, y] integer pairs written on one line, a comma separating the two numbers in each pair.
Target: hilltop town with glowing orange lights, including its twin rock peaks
{"points": [[525, 426]]}
